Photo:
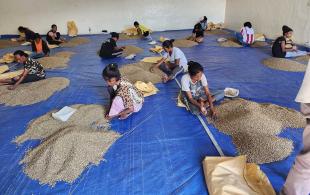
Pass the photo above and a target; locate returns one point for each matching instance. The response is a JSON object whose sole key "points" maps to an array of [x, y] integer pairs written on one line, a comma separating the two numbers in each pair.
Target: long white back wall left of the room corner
{"points": [[112, 15]]}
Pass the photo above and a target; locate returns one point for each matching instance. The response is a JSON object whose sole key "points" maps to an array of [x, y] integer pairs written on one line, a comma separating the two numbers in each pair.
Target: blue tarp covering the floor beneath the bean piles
{"points": [[162, 146]]}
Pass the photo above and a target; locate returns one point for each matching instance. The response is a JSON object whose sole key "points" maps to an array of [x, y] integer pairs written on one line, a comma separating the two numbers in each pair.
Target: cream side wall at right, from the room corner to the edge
{"points": [[268, 16]]}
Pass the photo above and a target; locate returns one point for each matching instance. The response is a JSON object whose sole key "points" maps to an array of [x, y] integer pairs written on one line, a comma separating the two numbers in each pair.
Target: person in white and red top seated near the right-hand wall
{"points": [[246, 35]]}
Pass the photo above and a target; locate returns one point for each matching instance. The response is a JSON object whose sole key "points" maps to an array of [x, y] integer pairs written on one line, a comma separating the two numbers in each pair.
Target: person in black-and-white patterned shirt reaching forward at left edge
{"points": [[33, 71]]}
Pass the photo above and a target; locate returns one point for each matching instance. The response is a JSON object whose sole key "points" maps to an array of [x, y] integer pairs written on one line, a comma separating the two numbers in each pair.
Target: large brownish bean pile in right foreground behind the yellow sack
{"points": [[255, 127]]}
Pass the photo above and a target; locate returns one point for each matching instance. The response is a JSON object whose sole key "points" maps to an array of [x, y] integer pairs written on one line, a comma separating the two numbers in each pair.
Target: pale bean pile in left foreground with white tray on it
{"points": [[67, 148]]}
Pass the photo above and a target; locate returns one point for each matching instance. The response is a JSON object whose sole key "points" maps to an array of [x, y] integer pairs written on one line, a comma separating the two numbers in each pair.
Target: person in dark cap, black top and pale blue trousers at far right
{"points": [[283, 47]]}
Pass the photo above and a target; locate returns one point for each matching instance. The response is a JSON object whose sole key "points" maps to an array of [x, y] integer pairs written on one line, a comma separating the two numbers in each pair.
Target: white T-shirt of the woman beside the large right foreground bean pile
{"points": [[188, 85]]}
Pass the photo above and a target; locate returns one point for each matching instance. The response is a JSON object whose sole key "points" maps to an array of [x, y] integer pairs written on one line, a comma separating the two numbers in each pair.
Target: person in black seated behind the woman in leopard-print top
{"points": [[109, 48]]}
